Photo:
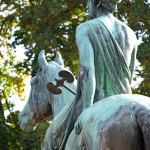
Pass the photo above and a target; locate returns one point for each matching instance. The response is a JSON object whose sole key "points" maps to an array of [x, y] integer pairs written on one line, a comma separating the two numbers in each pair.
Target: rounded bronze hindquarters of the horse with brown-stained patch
{"points": [[111, 124]]}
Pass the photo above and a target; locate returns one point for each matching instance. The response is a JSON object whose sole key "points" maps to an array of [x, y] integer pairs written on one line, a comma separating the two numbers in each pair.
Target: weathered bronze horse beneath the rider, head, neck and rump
{"points": [[119, 122]]}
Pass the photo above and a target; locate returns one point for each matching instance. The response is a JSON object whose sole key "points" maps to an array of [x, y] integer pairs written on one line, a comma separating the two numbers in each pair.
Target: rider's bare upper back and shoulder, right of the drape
{"points": [[124, 35]]}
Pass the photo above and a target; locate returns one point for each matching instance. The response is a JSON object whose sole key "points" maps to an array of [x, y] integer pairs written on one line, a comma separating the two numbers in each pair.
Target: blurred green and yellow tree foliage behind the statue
{"points": [[51, 25]]}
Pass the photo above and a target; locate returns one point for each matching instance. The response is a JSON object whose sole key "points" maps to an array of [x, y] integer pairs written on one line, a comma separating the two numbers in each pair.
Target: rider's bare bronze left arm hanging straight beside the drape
{"points": [[86, 66]]}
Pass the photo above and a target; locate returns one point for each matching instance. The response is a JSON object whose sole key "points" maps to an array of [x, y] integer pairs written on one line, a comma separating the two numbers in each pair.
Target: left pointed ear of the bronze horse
{"points": [[41, 60]]}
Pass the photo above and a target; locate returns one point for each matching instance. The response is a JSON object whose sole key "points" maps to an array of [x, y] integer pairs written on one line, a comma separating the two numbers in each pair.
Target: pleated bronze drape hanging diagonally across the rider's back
{"points": [[111, 71]]}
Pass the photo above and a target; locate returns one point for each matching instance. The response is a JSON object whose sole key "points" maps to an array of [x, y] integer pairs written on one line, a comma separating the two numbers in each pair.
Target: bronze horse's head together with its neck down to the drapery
{"points": [[41, 102]]}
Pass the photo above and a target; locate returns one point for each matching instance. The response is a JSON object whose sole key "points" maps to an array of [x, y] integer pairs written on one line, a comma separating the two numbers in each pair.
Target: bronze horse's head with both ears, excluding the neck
{"points": [[40, 100]]}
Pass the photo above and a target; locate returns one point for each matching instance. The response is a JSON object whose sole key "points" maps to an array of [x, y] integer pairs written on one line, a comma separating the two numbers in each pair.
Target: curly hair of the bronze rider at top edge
{"points": [[109, 5]]}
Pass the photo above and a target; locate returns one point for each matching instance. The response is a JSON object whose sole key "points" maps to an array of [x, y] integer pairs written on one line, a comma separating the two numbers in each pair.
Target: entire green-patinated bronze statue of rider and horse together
{"points": [[103, 115]]}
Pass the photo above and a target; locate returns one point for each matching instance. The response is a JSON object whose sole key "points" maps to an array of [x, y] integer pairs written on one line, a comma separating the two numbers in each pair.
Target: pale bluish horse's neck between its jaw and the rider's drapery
{"points": [[59, 101]]}
